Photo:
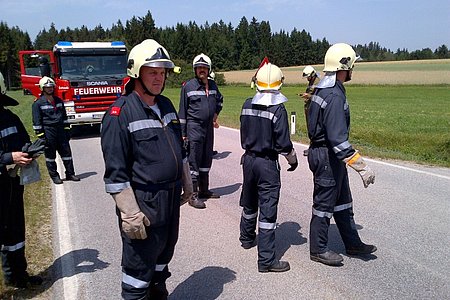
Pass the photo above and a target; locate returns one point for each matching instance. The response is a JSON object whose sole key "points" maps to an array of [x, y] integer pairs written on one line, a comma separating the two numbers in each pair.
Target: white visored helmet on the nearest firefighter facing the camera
{"points": [[149, 53]]}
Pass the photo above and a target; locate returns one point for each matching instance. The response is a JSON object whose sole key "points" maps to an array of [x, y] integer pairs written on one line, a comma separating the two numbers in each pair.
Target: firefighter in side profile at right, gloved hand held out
{"points": [[329, 154]]}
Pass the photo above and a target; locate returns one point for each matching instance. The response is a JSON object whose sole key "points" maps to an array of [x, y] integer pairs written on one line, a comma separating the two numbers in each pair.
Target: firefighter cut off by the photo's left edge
{"points": [[13, 136]]}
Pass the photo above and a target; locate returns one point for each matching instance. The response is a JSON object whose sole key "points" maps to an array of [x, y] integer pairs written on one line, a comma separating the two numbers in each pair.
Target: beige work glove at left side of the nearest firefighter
{"points": [[133, 219]]}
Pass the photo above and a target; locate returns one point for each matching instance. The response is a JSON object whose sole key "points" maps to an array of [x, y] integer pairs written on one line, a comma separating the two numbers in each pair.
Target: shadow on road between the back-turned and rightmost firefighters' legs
{"points": [[288, 234]]}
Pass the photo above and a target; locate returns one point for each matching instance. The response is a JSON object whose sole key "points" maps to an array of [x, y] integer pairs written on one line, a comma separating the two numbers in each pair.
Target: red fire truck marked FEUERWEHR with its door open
{"points": [[89, 76]]}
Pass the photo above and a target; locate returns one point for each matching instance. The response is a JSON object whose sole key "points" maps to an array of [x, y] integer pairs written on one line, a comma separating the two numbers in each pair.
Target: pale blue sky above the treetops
{"points": [[413, 24]]}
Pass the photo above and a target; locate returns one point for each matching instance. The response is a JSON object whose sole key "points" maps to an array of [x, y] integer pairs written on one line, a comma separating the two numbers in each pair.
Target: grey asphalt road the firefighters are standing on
{"points": [[406, 214]]}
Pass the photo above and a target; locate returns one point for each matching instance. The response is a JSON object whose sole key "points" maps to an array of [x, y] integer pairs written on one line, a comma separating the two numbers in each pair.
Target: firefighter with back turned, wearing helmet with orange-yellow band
{"points": [[264, 135]]}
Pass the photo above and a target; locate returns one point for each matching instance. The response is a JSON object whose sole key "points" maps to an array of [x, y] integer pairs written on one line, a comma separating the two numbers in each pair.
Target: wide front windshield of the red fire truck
{"points": [[90, 66]]}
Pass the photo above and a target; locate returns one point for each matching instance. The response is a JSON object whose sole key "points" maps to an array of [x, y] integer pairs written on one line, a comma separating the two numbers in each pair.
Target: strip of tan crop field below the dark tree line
{"points": [[386, 73]]}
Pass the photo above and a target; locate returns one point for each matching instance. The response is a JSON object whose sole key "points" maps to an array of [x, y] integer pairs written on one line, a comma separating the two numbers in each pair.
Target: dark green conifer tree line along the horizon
{"points": [[239, 48]]}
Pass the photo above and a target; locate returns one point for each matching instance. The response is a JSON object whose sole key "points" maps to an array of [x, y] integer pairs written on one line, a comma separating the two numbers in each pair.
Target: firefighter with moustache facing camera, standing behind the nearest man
{"points": [[200, 105]]}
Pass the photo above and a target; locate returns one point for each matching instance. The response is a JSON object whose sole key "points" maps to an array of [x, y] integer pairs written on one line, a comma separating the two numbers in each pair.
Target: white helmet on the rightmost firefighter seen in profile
{"points": [[340, 56]]}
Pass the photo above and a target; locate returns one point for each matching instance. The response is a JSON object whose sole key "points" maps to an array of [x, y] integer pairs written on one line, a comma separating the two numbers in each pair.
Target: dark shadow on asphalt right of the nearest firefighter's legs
{"points": [[205, 284]]}
